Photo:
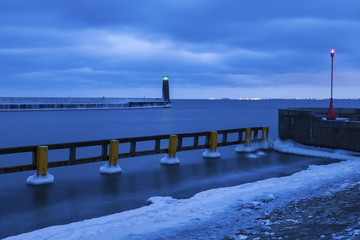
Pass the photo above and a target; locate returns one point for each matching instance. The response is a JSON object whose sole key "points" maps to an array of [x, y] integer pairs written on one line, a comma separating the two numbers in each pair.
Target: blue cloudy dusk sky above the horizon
{"points": [[228, 48]]}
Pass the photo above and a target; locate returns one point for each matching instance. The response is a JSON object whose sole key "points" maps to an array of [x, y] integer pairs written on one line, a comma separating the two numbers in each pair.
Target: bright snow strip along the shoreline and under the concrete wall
{"points": [[168, 214]]}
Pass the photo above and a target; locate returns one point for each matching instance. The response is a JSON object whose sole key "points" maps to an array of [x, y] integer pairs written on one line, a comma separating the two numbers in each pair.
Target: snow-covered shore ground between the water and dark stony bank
{"points": [[211, 214]]}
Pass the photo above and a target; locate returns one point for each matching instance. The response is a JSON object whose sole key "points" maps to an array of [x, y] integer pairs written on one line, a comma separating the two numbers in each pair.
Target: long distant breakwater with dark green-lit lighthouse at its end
{"points": [[83, 103]]}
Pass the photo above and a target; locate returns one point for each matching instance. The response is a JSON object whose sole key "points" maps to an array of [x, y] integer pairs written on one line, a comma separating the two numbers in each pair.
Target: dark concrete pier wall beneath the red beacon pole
{"points": [[309, 126]]}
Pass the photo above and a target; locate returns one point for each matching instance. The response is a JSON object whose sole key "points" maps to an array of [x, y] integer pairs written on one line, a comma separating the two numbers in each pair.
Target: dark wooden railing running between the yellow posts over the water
{"points": [[133, 152]]}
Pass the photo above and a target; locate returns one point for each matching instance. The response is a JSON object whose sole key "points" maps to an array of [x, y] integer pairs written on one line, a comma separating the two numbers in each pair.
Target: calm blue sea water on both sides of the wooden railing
{"points": [[80, 192]]}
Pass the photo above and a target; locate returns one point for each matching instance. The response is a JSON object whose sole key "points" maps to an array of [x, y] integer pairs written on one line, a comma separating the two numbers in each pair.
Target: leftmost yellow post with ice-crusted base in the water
{"points": [[41, 176]]}
